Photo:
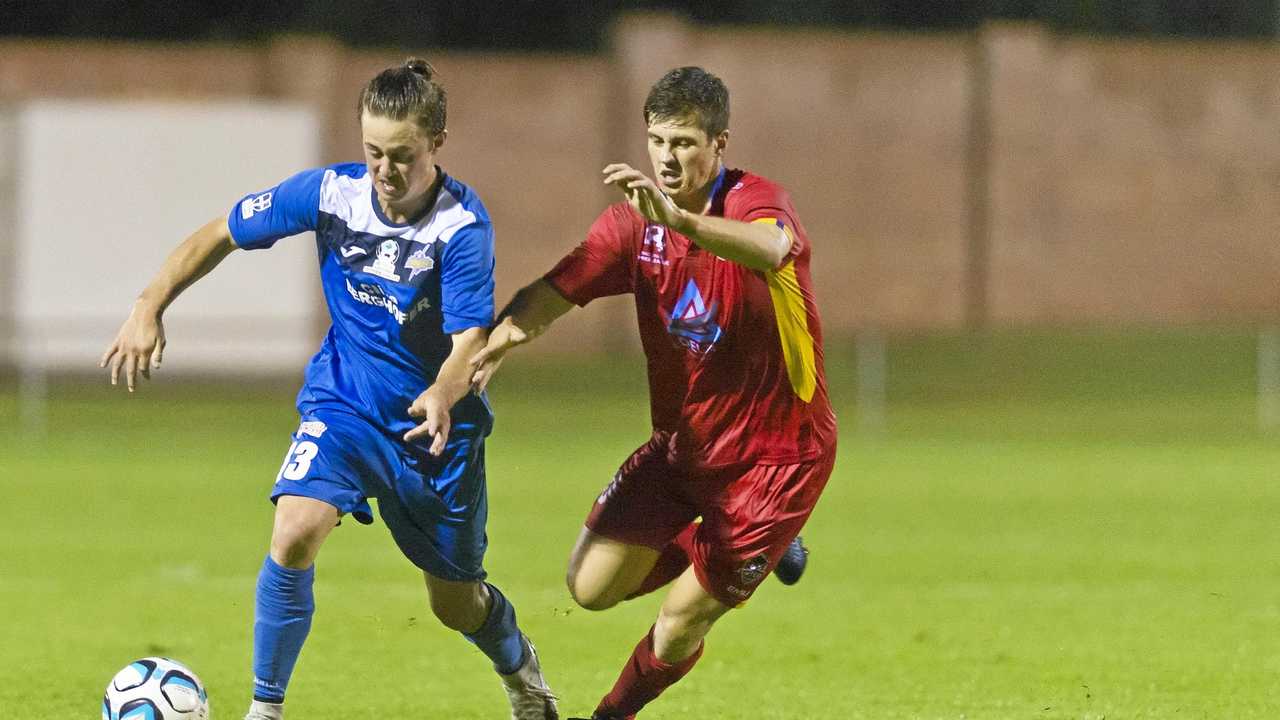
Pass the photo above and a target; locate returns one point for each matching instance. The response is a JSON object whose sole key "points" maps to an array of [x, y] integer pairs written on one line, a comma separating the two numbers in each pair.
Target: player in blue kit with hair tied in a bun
{"points": [[406, 261]]}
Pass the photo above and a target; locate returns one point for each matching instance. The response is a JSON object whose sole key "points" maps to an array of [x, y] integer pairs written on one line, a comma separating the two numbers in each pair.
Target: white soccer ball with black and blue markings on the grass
{"points": [[156, 689]]}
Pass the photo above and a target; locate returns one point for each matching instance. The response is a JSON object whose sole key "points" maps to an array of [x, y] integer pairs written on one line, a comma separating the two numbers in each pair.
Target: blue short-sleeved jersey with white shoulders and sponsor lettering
{"points": [[396, 293]]}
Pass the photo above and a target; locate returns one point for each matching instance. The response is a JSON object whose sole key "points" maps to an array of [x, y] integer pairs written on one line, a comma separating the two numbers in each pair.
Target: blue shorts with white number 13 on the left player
{"points": [[436, 508]]}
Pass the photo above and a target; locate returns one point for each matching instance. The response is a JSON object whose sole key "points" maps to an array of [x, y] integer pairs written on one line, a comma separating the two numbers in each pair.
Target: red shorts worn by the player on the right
{"points": [[751, 513]]}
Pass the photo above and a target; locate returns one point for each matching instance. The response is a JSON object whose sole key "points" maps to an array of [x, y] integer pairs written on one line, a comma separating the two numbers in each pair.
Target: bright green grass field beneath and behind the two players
{"points": [[1069, 526]]}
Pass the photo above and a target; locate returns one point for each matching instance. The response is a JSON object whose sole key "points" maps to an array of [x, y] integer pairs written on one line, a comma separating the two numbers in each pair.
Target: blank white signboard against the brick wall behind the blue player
{"points": [[103, 192]]}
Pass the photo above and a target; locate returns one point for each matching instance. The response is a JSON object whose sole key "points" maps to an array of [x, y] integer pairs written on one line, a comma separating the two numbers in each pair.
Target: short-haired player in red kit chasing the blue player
{"points": [[744, 436]]}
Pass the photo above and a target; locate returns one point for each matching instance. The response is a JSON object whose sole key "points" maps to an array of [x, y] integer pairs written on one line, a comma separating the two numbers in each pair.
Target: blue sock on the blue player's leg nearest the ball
{"points": [[282, 621]]}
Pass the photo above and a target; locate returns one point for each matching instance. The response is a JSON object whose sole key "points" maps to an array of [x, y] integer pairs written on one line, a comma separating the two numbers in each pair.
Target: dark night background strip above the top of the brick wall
{"points": [[583, 26]]}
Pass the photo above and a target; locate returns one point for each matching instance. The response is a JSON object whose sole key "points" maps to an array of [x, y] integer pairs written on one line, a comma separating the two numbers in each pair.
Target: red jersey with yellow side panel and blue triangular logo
{"points": [[734, 354]]}
